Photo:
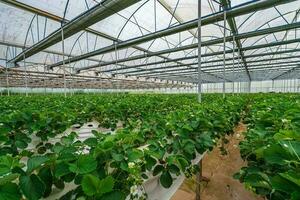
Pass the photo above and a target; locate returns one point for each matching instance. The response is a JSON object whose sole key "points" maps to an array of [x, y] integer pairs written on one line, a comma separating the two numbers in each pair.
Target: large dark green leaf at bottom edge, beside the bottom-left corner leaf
{"points": [[32, 187]]}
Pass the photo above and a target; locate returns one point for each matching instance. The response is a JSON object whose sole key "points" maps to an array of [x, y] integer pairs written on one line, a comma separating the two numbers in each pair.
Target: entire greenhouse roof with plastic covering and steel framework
{"points": [[147, 43]]}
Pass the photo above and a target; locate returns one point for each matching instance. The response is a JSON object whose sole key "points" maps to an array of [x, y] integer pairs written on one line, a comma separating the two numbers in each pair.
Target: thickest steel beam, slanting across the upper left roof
{"points": [[79, 23]]}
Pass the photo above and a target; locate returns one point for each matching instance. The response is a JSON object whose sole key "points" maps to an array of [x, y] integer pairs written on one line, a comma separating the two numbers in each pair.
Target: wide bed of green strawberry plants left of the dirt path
{"points": [[160, 136]]}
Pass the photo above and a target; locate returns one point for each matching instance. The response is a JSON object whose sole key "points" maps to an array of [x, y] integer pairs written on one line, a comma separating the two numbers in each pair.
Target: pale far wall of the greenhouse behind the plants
{"points": [[236, 87]]}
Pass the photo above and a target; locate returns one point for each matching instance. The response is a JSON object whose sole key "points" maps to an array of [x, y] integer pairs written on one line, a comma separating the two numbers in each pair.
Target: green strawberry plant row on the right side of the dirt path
{"points": [[272, 147]]}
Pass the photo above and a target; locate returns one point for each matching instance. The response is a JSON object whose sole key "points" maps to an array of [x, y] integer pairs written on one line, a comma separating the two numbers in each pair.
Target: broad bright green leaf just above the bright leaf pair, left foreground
{"points": [[83, 165]]}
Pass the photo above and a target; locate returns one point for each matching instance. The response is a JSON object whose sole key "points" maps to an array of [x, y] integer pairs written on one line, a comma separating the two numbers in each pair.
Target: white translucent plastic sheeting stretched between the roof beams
{"points": [[19, 27]]}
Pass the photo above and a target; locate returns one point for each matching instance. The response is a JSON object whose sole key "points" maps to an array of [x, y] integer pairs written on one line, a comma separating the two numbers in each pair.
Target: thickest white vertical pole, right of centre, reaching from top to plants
{"points": [[199, 54]]}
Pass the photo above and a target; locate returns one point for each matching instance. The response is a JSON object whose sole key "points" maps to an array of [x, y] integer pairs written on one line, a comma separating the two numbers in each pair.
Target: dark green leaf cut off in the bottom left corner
{"points": [[10, 191]]}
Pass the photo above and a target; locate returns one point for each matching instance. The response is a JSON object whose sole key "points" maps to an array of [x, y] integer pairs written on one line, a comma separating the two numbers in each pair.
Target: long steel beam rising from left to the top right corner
{"points": [[209, 19]]}
